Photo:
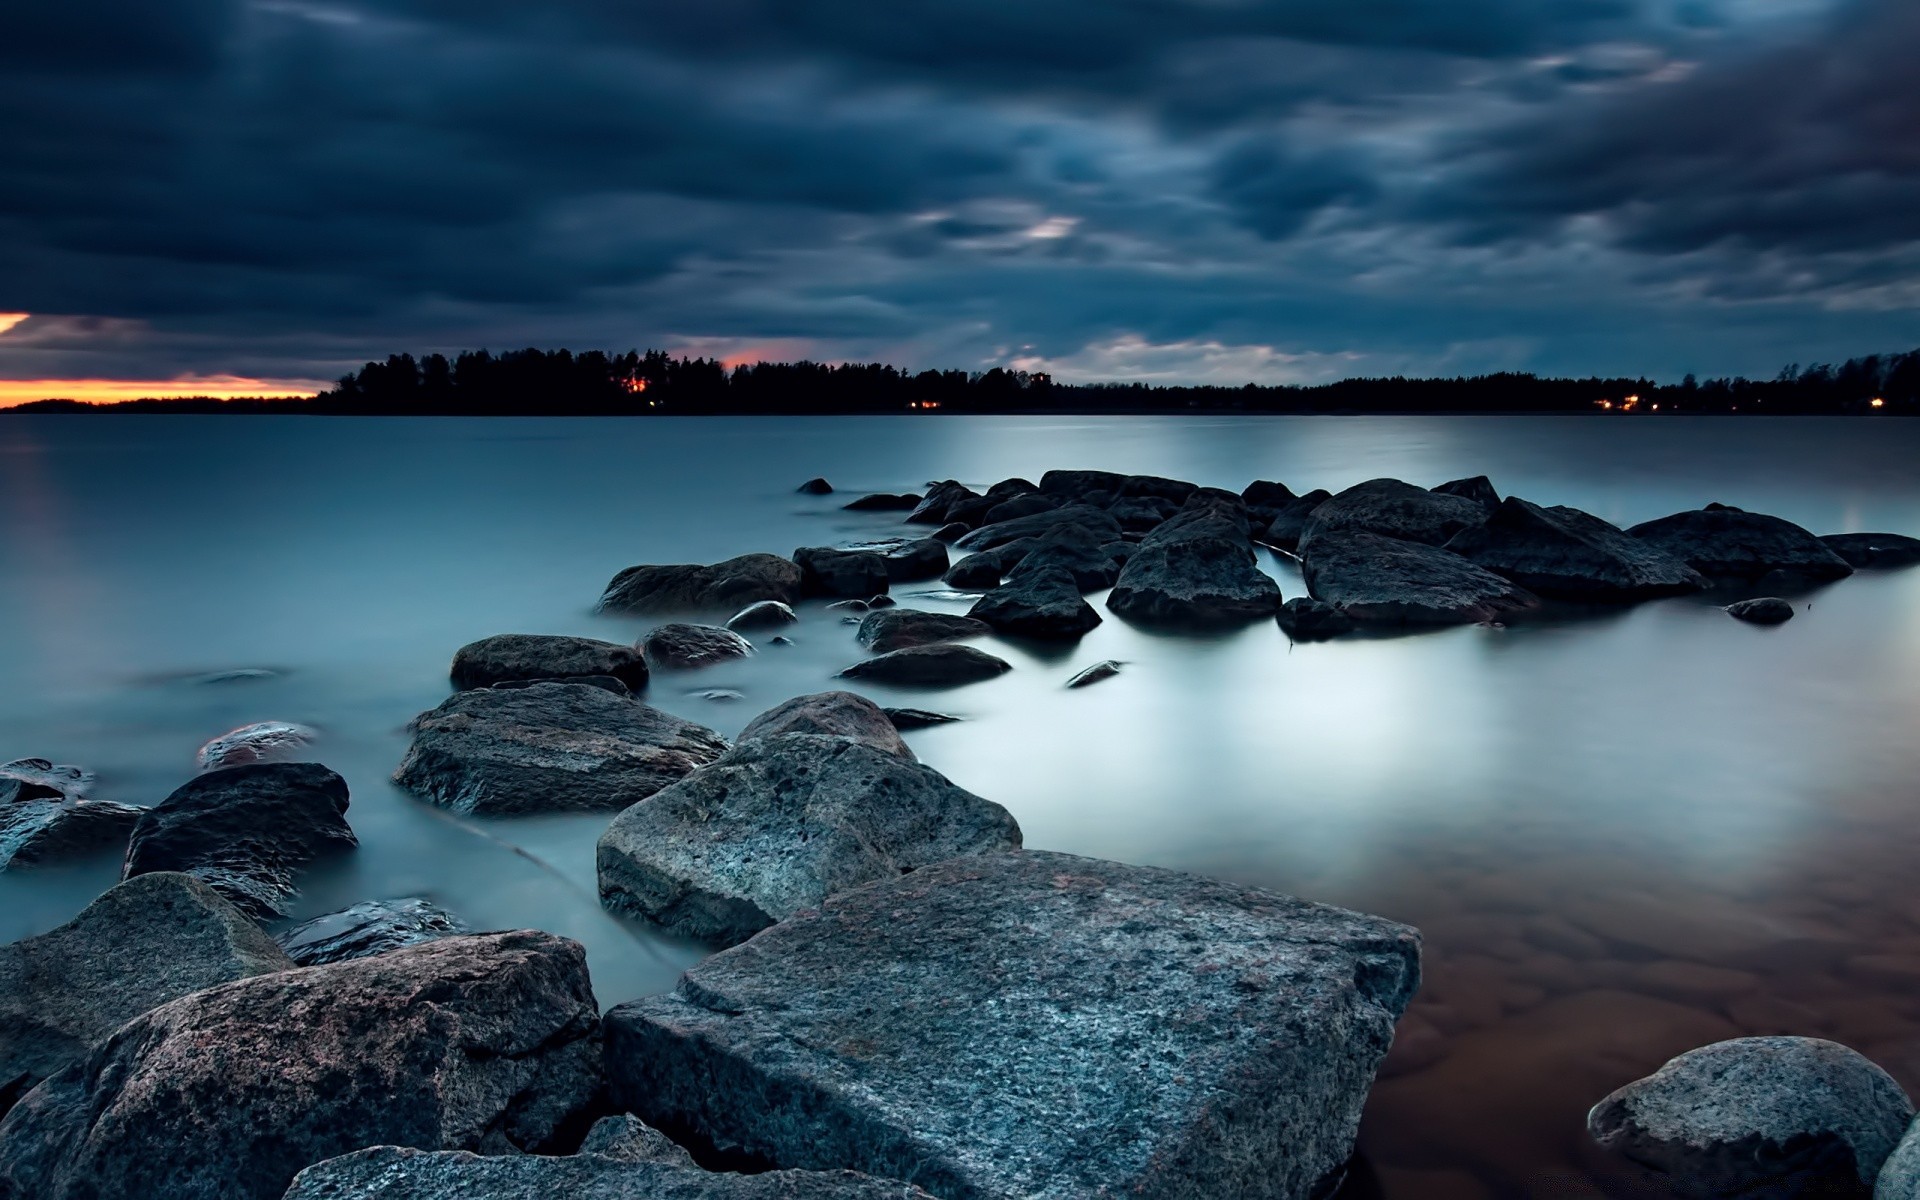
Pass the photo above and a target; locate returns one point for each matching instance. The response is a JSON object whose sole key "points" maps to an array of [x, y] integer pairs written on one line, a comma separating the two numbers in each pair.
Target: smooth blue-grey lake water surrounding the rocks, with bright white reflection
{"points": [[1623, 836]]}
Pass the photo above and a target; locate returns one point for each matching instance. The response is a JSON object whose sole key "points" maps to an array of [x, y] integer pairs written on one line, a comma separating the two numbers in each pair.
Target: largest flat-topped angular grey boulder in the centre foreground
{"points": [[1034, 1026]]}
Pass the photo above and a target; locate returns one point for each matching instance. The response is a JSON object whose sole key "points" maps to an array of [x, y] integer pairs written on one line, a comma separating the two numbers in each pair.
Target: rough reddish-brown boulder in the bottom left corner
{"points": [[468, 1044]]}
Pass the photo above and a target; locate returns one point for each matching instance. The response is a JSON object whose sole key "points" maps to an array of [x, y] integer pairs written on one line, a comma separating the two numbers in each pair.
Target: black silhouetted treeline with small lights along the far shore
{"points": [[540, 383]]}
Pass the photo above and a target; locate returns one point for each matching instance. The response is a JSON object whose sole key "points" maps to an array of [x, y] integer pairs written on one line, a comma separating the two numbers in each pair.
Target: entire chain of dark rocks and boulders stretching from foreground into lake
{"points": [[903, 999]]}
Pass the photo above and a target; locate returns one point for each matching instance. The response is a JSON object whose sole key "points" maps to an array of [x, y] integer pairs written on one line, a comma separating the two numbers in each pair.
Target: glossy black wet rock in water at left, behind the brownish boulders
{"points": [[247, 832]]}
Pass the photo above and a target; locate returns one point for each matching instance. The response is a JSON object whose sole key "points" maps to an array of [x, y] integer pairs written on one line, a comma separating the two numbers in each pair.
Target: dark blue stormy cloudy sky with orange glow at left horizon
{"points": [[1174, 191]]}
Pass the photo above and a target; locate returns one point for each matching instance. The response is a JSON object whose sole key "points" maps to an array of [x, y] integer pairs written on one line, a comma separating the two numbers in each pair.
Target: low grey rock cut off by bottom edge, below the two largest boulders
{"points": [[400, 1174]]}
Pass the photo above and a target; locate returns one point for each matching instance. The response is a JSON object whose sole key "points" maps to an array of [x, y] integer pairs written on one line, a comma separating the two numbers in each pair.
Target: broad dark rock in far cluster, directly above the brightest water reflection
{"points": [[1385, 581]]}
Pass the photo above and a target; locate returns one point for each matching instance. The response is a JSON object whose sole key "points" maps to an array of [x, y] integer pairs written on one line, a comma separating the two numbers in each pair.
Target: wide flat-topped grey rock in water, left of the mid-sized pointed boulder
{"points": [[550, 748]]}
